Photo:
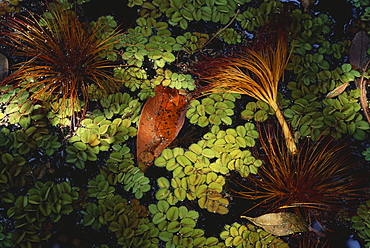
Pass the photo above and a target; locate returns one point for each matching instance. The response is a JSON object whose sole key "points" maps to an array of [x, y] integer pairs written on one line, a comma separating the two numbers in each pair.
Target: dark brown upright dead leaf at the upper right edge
{"points": [[358, 50]]}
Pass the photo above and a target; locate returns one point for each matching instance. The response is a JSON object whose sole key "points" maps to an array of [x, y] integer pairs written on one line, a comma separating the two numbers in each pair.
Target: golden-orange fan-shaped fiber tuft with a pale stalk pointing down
{"points": [[254, 72]]}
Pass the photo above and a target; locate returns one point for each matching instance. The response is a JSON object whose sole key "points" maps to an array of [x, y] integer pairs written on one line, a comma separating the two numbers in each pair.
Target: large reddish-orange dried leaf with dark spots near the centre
{"points": [[161, 120]]}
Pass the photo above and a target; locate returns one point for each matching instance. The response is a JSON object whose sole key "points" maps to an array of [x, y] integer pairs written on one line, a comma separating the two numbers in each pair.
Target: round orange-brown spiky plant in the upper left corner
{"points": [[63, 56]]}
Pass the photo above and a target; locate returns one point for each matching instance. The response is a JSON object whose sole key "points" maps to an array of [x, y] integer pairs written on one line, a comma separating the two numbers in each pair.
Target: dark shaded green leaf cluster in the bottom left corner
{"points": [[45, 202]]}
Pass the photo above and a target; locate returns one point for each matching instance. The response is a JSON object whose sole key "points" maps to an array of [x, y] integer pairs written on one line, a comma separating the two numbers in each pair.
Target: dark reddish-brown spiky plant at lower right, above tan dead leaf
{"points": [[319, 176]]}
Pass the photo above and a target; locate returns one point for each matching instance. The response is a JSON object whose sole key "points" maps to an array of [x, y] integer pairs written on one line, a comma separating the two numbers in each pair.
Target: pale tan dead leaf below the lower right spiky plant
{"points": [[280, 224]]}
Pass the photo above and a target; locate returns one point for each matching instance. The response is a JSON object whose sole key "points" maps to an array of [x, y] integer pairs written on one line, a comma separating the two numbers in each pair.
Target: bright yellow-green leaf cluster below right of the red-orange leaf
{"points": [[198, 172]]}
